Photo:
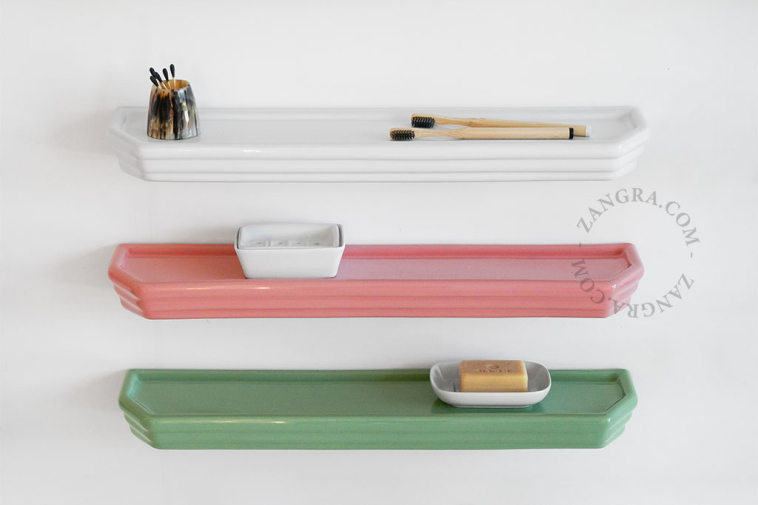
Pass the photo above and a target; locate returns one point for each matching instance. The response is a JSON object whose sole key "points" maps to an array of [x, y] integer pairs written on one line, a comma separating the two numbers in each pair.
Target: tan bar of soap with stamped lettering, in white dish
{"points": [[504, 376]]}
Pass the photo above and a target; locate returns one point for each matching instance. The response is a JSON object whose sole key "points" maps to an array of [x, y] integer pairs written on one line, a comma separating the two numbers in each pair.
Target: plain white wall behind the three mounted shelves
{"points": [[66, 342]]}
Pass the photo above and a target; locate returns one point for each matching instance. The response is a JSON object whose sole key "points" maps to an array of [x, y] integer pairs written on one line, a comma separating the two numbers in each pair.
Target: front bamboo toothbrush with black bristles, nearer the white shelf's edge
{"points": [[538, 133]]}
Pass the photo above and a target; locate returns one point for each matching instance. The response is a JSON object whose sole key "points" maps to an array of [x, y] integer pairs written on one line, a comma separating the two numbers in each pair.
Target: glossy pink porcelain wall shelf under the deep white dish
{"points": [[194, 281]]}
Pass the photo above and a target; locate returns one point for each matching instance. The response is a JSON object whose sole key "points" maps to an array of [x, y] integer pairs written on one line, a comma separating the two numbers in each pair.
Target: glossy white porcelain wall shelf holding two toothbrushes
{"points": [[353, 145]]}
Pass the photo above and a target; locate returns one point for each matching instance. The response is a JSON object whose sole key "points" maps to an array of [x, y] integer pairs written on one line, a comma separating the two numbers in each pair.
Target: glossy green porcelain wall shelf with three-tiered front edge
{"points": [[371, 409]]}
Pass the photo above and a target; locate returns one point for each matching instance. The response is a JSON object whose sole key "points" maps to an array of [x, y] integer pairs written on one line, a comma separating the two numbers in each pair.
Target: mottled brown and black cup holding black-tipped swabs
{"points": [[172, 114]]}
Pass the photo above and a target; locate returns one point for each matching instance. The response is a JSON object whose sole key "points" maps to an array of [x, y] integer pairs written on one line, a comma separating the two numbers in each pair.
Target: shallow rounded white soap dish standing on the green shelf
{"points": [[445, 379]]}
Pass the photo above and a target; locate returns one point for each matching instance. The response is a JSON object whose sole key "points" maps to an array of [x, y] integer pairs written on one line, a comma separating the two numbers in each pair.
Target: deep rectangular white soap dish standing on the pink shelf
{"points": [[290, 250]]}
